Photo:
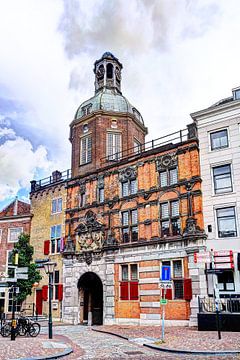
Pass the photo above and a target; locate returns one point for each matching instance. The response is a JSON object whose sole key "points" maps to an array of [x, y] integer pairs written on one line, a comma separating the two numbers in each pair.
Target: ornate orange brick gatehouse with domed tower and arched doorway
{"points": [[132, 207]]}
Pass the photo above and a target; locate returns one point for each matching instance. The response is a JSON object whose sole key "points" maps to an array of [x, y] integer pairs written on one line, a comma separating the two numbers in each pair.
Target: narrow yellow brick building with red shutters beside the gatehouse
{"points": [[48, 205]]}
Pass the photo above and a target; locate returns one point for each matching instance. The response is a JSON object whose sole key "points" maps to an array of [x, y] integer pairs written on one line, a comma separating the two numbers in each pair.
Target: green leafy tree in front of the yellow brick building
{"points": [[25, 259]]}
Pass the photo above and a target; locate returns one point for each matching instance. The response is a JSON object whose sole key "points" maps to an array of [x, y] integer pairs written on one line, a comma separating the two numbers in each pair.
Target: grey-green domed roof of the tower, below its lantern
{"points": [[108, 100]]}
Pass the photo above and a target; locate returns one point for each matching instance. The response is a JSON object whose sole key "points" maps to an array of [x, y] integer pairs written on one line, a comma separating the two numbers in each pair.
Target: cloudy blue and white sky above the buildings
{"points": [[178, 55]]}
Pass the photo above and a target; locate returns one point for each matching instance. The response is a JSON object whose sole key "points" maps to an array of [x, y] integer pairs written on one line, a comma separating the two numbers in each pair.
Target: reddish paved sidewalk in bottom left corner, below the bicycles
{"points": [[41, 346]]}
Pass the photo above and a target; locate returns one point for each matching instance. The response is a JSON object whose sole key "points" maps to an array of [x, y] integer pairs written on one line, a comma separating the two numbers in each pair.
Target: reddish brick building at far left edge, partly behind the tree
{"points": [[14, 220]]}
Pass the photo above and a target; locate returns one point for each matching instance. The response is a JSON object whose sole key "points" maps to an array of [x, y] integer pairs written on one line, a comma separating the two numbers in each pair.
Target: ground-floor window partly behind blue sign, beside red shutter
{"points": [[177, 278]]}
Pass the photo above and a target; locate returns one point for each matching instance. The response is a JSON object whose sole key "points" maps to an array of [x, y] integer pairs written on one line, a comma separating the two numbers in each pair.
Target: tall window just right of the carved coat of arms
{"points": [[130, 226]]}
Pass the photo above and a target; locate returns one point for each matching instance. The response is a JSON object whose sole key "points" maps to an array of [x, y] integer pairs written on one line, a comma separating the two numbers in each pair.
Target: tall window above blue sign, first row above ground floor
{"points": [[170, 220]]}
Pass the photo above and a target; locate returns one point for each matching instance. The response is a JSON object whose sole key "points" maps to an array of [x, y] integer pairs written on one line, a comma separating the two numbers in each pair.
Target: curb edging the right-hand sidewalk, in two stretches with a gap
{"points": [[175, 351]]}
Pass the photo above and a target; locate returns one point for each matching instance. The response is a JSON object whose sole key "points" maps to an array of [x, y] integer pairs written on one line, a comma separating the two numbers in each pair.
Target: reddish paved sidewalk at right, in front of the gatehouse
{"points": [[183, 338]]}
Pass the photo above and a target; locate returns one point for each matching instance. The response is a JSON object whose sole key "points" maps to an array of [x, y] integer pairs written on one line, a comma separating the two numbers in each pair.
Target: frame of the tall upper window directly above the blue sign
{"points": [[170, 218]]}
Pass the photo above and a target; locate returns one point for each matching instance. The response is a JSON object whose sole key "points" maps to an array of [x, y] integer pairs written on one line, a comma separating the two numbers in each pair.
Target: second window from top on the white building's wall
{"points": [[222, 179]]}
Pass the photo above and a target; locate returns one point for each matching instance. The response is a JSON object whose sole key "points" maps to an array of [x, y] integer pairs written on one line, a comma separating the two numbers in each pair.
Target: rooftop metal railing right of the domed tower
{"points": [[173, 138]]}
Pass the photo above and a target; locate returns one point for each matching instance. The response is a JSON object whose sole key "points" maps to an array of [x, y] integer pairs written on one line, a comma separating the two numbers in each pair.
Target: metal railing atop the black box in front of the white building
{"points": [[229, 304]]}
